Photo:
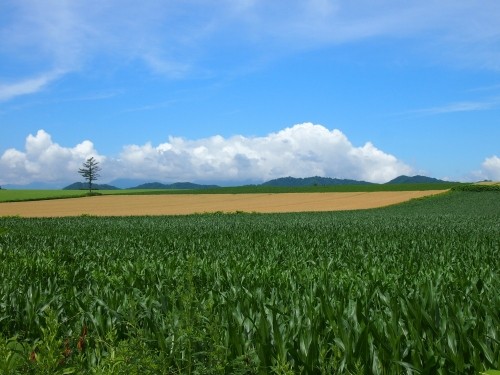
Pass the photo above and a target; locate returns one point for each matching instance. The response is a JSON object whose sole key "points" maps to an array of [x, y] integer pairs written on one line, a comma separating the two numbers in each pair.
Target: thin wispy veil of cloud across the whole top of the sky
{"points": [[178, 38]]}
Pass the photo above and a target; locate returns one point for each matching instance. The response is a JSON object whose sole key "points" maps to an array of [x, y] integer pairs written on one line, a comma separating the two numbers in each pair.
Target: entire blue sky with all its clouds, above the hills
{"points": [[234, 91]]}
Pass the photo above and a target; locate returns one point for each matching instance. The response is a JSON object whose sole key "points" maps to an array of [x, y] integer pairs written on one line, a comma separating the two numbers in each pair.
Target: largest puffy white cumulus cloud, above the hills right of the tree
{"points": [[300, 151]]}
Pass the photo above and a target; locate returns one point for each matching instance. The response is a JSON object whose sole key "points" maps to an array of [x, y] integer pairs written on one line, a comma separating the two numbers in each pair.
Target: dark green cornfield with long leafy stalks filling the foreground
{"points": [[408, 289]]}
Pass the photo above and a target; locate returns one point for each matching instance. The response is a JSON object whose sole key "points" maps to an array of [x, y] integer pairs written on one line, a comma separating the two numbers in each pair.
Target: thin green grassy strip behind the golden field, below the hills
{"points": [[21, 195]]}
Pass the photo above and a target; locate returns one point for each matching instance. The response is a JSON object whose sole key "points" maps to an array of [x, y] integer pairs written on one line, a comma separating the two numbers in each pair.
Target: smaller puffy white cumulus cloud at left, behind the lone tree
{"points": [[44, 161]]}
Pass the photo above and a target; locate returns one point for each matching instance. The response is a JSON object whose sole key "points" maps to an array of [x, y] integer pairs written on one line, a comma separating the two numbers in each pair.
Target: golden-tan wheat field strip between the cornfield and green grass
{"points": [[133, 205]]}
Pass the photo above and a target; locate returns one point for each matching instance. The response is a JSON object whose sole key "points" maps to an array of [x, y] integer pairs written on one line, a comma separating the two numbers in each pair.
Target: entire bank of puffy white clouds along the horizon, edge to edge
{"points": [[302, 150]]}
